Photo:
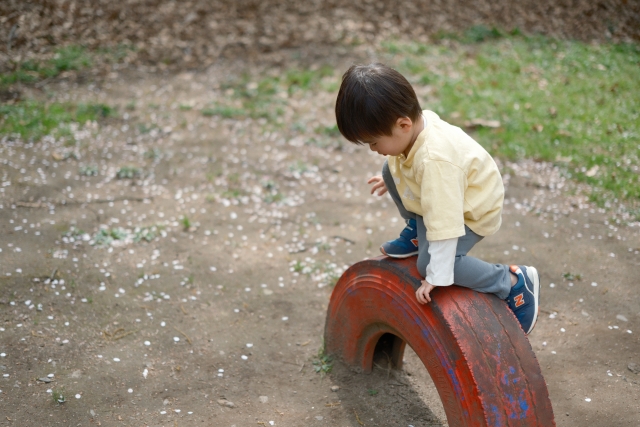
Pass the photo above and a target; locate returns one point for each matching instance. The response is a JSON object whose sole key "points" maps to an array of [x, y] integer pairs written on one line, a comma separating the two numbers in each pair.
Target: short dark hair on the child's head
{"points": [[370, 101]]}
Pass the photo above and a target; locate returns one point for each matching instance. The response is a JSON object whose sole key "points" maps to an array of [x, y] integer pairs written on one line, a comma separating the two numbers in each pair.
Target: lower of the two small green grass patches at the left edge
{"points": [[31, 120]]}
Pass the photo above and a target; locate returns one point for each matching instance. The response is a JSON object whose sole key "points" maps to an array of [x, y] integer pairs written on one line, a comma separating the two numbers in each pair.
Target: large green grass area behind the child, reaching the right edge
{"points": [[565, 102]]}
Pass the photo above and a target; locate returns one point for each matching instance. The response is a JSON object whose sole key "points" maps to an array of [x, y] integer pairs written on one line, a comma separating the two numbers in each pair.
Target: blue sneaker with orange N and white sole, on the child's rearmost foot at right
{"points": [[524, 297]]}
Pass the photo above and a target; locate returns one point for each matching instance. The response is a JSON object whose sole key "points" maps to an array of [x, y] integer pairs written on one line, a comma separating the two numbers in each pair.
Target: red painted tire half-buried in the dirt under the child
{"points": [[472, 345]]}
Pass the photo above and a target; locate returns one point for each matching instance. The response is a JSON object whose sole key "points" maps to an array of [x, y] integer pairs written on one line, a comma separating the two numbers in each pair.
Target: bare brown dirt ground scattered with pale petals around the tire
{"points": [[217, 320]]}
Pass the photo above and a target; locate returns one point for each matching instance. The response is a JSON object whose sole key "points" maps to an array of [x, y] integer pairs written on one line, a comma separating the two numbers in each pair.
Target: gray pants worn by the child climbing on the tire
{"points": [[468, 272]]}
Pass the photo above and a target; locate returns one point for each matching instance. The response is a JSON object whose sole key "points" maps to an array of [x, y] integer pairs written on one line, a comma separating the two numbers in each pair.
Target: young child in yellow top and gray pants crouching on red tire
{"points": [[445, 185]]}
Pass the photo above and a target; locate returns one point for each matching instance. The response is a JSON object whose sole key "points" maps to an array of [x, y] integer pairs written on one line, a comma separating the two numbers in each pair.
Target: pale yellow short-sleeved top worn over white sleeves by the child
{"points": [[450, 180]]}
